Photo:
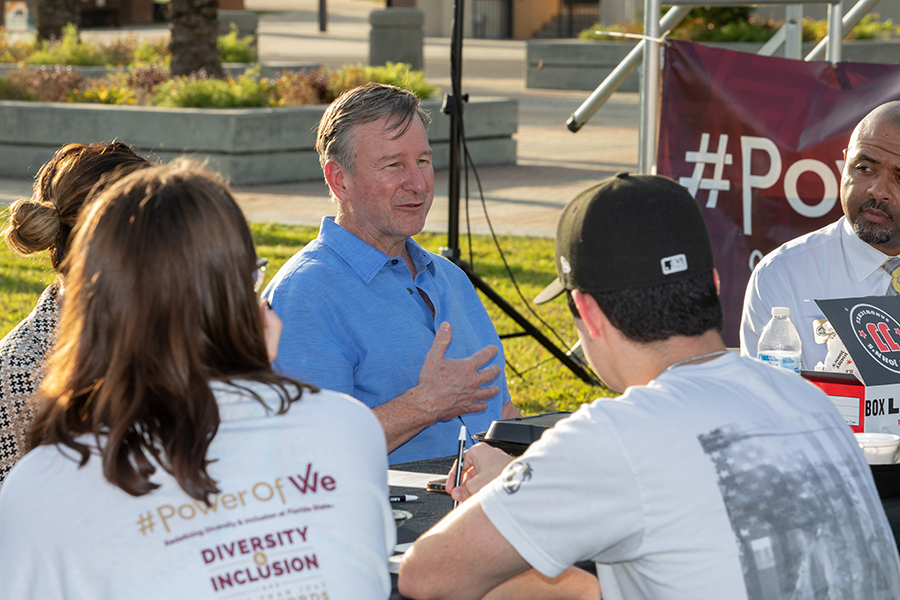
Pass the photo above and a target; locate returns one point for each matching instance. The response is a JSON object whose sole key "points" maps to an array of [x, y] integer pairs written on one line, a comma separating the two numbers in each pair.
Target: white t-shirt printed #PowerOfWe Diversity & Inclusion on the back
{"points": [[303, 513]]}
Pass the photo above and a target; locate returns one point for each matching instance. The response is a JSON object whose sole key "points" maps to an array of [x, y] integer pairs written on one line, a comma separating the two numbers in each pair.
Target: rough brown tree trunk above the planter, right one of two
{"points": [[195, 27]]}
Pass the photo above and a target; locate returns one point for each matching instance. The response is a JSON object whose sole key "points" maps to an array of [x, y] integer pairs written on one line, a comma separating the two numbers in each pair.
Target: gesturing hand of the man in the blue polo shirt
{"points": [[453, 387]]}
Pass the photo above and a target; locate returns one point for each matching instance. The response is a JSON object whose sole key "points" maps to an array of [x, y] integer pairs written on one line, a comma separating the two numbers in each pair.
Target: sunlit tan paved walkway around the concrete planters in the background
{"points": [[553, 163]]}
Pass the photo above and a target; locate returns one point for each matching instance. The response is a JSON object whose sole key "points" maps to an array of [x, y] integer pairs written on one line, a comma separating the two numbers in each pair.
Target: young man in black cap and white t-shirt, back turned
{"points": [[713, 476]]}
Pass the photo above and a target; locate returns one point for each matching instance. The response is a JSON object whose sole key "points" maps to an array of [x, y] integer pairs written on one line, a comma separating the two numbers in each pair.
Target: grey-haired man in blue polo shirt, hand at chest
{"points": [[366, 310]]}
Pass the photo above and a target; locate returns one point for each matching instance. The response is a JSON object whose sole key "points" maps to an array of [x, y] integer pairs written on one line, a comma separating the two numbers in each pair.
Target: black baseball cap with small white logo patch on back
{"points": [[629, 232]]}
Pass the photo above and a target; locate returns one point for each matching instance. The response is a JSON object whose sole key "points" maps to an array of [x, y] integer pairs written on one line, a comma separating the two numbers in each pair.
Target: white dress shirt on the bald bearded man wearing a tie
{"points": [[828, 263]]}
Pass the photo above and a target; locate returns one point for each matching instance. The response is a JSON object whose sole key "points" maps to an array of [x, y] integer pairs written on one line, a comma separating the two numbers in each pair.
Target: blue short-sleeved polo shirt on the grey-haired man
{"points": [[354, 322]]}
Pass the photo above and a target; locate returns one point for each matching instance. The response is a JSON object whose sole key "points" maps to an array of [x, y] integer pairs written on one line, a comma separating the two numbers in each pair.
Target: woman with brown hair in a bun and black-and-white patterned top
{"points": [[41, 223]]}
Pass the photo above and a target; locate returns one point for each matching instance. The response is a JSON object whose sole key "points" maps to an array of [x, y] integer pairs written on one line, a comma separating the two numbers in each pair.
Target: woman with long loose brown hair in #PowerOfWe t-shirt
{"points": [[170, 461]]}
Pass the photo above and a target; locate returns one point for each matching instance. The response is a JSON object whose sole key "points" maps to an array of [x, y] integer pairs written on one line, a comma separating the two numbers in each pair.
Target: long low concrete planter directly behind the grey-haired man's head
{"points": [[248, 146]]}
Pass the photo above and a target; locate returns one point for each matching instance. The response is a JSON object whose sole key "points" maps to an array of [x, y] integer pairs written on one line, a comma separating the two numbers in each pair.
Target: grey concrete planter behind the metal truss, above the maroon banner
{"points": [[583, 65]]}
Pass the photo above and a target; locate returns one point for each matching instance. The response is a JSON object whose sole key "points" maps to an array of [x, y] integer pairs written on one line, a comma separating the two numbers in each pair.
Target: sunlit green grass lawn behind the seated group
{"points": [[537, 381]]}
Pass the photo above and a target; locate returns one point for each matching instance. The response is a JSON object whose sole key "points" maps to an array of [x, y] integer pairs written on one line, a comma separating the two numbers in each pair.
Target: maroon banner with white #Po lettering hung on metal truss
{"points": [[759, 143]]}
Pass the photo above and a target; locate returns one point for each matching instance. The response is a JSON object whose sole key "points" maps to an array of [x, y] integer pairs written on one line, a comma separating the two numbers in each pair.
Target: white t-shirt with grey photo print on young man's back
{"points": [[724, 480]]}
